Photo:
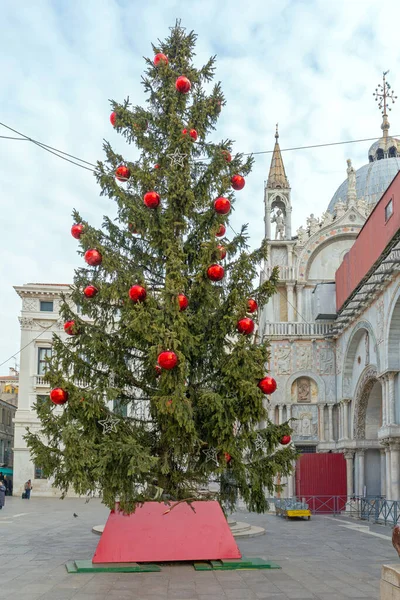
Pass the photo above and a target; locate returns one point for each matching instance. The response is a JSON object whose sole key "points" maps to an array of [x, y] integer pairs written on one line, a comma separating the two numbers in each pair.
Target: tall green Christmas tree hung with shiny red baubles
{"points": [[161, 379]]}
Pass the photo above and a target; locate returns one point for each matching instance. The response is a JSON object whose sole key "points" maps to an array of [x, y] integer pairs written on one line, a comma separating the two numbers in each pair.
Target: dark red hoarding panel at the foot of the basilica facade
{"points": [[321, 482]]}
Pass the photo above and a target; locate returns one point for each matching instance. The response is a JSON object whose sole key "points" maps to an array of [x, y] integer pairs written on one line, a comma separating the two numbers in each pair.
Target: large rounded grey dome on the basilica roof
{"points": [[372, 180]]}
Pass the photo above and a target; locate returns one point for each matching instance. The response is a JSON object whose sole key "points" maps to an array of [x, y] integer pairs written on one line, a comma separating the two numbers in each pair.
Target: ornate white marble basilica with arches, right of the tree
{"points": [[330, 351]]}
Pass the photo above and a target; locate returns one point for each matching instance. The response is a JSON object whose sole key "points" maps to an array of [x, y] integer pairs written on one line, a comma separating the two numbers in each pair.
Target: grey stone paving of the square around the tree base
{"points": [[325, 559]]}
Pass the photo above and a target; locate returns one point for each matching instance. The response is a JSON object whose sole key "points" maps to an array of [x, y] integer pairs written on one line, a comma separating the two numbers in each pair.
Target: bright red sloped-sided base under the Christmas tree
{"points": [[148, 535]]}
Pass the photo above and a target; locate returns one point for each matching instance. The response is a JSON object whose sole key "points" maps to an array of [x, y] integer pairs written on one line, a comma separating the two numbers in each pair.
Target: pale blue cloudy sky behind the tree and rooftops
{"points": [[310, 65]]}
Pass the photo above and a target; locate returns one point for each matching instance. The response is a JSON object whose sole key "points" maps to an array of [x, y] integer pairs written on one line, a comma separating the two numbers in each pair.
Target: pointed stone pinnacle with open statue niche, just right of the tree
{"points": [[278, 208]]}
